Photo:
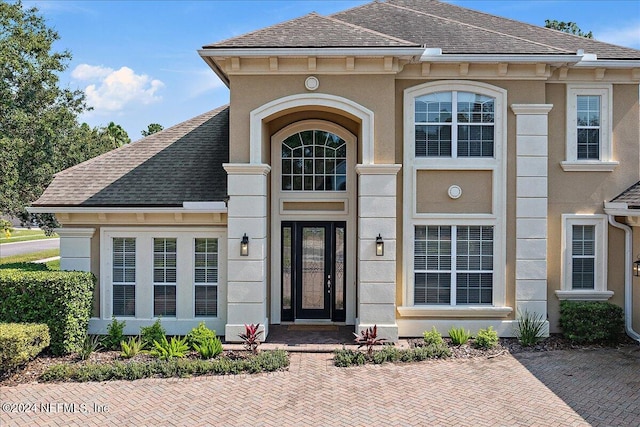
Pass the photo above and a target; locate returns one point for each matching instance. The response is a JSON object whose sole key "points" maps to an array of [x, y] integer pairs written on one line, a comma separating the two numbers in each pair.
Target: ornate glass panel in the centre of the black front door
{"points": [[313, 253]]}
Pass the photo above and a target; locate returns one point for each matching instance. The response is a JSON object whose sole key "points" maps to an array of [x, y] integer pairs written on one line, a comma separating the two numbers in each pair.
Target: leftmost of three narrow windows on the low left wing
{"points": [[124, 276]]}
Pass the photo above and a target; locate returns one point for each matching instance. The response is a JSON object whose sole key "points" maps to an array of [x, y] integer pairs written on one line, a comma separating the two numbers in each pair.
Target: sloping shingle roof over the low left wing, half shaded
{"points": [[181, 163]]}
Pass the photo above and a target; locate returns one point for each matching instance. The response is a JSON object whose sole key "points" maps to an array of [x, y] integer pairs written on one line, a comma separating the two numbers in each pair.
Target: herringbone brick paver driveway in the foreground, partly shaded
{"points": [[563, 388]]}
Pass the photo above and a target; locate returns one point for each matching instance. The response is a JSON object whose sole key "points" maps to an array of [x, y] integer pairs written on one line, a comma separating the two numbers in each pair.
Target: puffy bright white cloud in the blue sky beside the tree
{"points": [[112, 90]]}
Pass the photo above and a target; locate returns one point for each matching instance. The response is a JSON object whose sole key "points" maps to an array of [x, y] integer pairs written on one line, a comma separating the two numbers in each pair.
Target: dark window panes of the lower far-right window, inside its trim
{"points": [[583, 255]]}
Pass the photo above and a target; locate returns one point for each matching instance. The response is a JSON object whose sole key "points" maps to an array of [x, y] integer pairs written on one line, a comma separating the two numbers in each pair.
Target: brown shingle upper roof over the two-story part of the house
{"points": [[430, 23]]}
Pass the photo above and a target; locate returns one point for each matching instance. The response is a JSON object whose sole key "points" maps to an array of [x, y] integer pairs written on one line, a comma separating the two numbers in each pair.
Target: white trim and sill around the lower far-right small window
{"points": [[600, 291]]}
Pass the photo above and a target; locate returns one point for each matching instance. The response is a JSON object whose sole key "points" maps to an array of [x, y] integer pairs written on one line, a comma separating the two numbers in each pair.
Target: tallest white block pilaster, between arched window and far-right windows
{"points": [[531, 207]]}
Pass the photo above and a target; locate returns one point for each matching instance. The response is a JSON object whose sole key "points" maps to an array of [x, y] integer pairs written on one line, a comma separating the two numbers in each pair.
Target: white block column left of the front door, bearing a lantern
{"points": [[246, 274]]}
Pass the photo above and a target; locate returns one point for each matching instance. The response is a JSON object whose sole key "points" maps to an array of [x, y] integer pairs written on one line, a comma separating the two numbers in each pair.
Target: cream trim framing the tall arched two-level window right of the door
{"points": [[411, 217]]}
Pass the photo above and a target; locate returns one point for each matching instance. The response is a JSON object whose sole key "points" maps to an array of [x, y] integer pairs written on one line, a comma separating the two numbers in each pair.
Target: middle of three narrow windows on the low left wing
{"points": [[164, 276]]}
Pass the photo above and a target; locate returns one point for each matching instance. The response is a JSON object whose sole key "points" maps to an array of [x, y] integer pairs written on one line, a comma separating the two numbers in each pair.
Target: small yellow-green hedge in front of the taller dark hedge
{"points": [[20, 342]]}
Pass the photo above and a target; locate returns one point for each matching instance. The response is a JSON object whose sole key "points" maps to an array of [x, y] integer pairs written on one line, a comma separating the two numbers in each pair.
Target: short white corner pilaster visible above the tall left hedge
{"points": [[75, 248]]}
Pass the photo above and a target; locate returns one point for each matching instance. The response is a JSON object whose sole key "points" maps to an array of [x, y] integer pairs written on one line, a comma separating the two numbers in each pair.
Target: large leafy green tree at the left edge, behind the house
{"points": [[39, 131]]}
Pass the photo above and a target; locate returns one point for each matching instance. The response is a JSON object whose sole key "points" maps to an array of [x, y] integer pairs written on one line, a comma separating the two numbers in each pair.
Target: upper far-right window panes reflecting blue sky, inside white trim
{"points": [[588, 127]]}
